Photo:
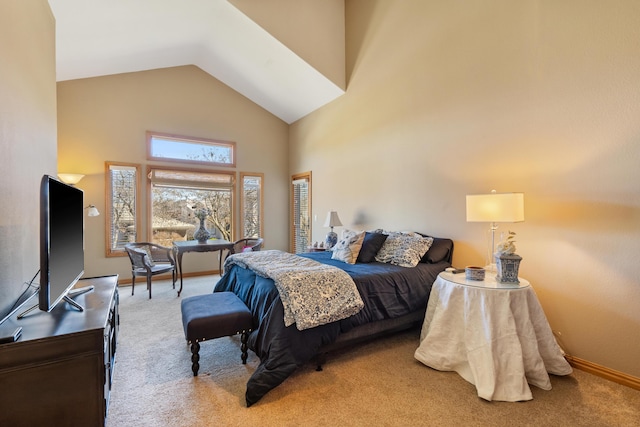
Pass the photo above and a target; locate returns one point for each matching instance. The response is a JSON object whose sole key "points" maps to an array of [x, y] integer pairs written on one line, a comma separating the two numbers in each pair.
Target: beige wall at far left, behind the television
{"points": [[27, 137]]}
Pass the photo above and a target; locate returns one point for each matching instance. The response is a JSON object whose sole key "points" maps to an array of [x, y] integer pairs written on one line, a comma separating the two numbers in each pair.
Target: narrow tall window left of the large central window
{"points": [[122, 206]]}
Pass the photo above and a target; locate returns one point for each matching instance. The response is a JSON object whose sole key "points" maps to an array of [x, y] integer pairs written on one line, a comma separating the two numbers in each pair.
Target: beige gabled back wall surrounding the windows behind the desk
{"points": [[105, 119]]}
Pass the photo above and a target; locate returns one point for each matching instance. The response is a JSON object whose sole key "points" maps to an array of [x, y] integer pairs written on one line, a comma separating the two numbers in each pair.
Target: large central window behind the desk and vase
{"points": [[176, 193]]}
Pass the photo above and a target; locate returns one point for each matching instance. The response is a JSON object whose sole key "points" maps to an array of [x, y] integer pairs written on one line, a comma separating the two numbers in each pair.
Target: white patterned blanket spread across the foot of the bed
{"points": [[312, 293]]}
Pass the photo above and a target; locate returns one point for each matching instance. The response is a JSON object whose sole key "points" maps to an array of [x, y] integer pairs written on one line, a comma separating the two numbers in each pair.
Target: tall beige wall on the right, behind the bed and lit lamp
{"points": [[452, 98]]}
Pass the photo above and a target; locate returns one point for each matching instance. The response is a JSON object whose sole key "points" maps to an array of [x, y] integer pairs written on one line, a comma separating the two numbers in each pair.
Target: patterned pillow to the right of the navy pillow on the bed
{"points": [[403, 249]]}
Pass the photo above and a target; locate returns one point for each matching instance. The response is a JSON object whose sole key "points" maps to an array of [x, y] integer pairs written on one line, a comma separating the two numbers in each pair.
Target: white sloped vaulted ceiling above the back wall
{"points": [[98, 38]]}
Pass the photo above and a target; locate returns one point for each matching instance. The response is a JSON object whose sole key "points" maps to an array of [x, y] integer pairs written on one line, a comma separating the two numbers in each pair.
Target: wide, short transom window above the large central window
{"points": [[165, 147]]}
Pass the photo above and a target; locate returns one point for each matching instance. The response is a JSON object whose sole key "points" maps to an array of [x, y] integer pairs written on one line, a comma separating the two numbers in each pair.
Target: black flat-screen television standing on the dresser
{"points": [[61, 240]]}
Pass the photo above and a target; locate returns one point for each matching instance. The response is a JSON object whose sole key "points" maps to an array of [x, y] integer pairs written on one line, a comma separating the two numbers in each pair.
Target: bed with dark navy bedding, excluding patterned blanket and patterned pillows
{"points": [[394, 297]]}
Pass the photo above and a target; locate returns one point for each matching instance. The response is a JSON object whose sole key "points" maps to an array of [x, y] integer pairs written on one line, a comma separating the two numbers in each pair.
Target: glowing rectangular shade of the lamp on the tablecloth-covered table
{"points": [[495, 207]]}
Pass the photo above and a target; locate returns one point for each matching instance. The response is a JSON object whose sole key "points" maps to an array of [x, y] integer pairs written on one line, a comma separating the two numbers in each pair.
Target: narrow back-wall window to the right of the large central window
{"points": [[251, 206]]}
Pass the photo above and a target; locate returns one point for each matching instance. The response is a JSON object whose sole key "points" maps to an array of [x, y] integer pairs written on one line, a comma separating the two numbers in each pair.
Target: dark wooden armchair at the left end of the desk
{"points": [[148, 260]]}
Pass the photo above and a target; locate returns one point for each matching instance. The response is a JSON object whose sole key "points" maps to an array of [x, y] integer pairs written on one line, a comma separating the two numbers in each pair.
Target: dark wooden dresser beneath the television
{"points": [[60, 371]]}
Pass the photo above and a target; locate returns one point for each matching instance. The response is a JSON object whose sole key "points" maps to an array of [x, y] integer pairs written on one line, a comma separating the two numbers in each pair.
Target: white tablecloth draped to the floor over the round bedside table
{"points": [[497, 339]]}
